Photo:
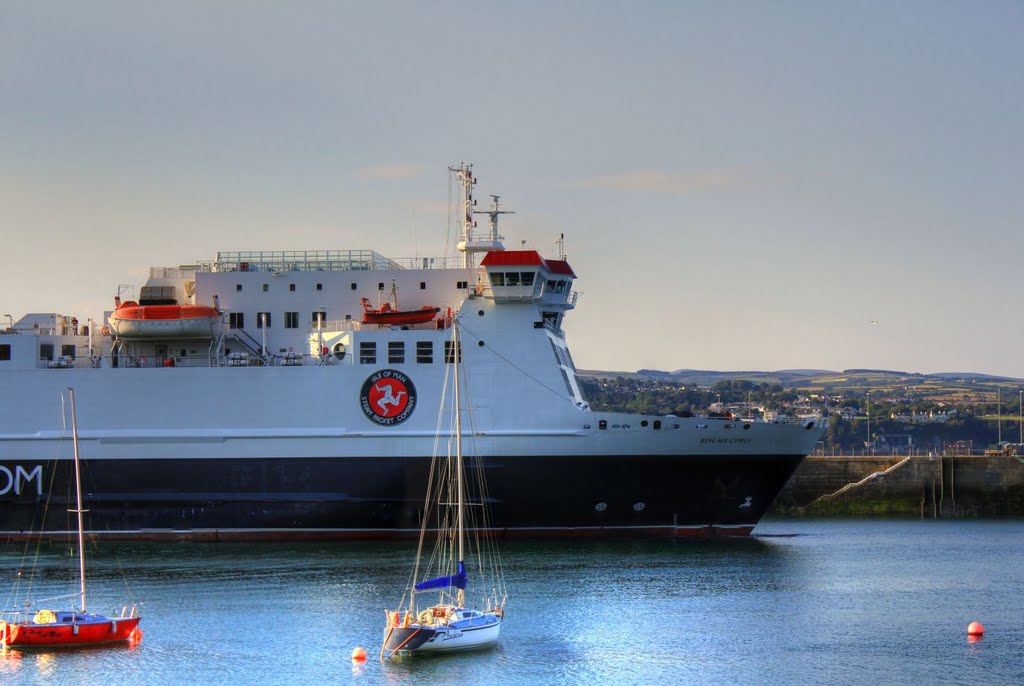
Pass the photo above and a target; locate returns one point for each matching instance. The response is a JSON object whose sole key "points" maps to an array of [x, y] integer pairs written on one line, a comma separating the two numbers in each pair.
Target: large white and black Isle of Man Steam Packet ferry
{"points": [[284, 396]]}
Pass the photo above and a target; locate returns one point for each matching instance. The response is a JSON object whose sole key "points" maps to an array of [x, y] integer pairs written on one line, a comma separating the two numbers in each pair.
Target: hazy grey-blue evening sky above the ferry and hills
{"points": [[742, 186]]}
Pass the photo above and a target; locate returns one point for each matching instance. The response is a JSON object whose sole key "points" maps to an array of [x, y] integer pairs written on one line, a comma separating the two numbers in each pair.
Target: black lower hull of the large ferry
{"points": [[382, 497]]}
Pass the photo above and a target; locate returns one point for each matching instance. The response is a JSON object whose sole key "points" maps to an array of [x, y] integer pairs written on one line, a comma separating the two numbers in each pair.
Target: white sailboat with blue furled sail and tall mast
{"points": [[464, 555]]}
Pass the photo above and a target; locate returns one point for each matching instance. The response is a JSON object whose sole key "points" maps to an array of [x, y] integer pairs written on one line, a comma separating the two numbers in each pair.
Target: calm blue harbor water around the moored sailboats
{"points": [[805, 603]]}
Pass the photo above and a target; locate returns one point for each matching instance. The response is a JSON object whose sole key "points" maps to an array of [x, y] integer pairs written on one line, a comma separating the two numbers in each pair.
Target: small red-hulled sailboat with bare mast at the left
{"points": [[57, 629]]}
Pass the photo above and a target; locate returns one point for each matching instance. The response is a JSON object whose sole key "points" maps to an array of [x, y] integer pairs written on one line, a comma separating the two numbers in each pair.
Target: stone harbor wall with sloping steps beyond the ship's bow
{"points": [[895, 486]]}
